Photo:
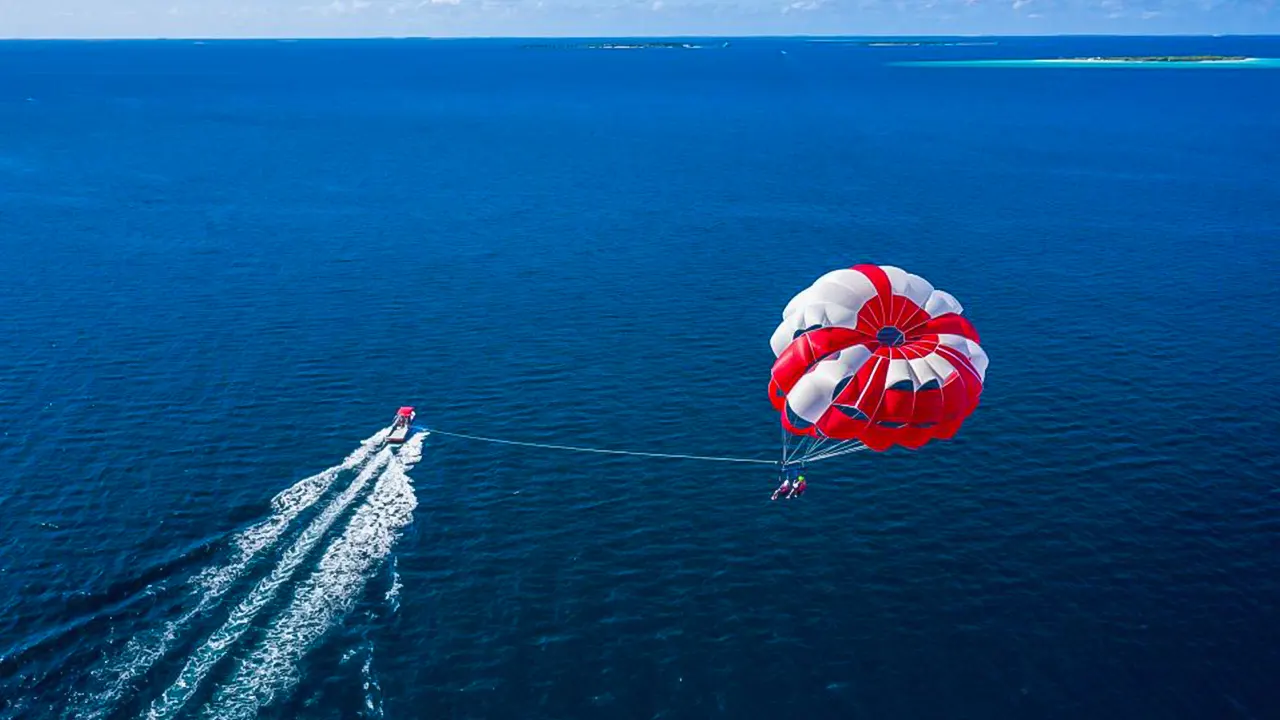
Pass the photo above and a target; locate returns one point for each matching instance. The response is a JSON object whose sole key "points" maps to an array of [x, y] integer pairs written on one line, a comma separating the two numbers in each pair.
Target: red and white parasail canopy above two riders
{"points": [[874, 357]]}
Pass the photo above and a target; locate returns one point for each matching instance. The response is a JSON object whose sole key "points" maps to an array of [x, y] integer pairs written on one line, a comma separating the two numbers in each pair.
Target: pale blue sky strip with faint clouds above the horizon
{"points": [[442, 19]]}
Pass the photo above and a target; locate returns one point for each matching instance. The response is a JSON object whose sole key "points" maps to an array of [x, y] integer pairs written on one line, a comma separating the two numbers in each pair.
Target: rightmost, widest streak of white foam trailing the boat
{"points": [[327, 596]]}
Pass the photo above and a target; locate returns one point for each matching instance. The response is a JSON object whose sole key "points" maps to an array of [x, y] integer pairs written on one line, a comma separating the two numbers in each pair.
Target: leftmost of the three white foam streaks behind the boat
{"points": [[144, 651]]}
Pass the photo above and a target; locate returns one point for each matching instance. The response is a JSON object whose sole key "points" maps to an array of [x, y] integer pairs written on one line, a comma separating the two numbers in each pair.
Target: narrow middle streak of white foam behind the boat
{"points": [[214, 649]]}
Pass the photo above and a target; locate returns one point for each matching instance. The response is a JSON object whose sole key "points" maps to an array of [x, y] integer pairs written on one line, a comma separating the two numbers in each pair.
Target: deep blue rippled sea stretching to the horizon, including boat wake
{"points": [[225, 266]]}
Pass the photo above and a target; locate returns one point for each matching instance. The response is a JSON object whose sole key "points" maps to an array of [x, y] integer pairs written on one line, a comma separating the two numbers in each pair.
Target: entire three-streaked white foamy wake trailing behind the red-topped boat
{"points": [[376, 518]]}
